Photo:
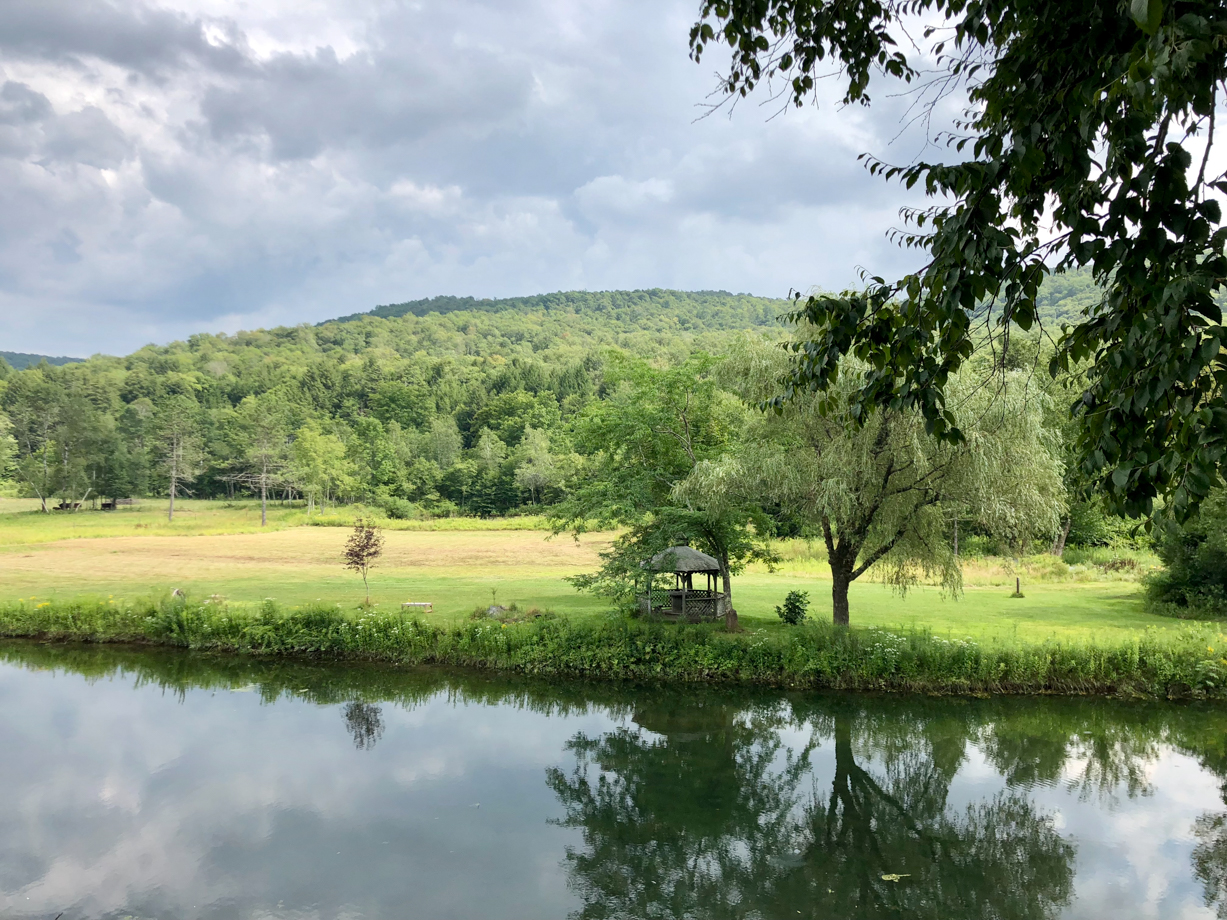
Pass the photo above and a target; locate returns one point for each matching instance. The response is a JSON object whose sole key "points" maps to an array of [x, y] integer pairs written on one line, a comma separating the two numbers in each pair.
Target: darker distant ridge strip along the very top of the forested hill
{"points": [[656, 309]]}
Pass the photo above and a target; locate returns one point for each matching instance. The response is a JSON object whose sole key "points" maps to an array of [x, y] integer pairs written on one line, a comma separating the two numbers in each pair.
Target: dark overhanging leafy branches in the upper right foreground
{"points": [[1087, 143]]}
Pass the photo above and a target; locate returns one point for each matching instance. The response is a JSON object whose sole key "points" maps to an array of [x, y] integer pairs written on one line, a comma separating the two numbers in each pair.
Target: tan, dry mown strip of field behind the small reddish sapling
{"points": [[453, 570]]}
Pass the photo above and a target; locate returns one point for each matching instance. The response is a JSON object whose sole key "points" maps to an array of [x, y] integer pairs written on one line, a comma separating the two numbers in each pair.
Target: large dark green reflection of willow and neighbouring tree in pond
{"points": [[711, 816]]}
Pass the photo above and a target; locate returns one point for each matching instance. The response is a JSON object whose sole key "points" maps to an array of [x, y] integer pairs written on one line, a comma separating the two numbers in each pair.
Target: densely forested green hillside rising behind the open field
{"points": [[442, 407]]}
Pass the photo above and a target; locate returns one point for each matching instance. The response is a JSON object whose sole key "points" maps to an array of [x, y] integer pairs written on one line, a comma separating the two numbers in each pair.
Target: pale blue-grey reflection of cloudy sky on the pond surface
{"points": [[217, 805]]}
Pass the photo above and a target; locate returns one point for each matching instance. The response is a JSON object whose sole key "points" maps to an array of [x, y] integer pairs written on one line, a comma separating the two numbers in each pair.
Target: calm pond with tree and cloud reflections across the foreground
{"points": [[159, 784]]}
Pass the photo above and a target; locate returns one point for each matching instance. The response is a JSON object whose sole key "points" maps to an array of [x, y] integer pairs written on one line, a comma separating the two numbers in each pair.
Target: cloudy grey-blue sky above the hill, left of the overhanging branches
{"points": [[194, 166]]}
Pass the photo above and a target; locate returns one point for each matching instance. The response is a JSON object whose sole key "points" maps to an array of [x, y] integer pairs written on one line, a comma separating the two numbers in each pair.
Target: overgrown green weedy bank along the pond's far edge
{"points": [[1192, 663]]}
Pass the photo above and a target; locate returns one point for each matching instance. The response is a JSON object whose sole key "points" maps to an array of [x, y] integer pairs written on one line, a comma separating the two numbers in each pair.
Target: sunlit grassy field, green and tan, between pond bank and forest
{"points": [[218, 550]]}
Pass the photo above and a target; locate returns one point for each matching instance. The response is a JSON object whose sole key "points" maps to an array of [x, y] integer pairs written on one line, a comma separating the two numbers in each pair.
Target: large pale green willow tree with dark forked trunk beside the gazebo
{"points": [[882, 490]]}
